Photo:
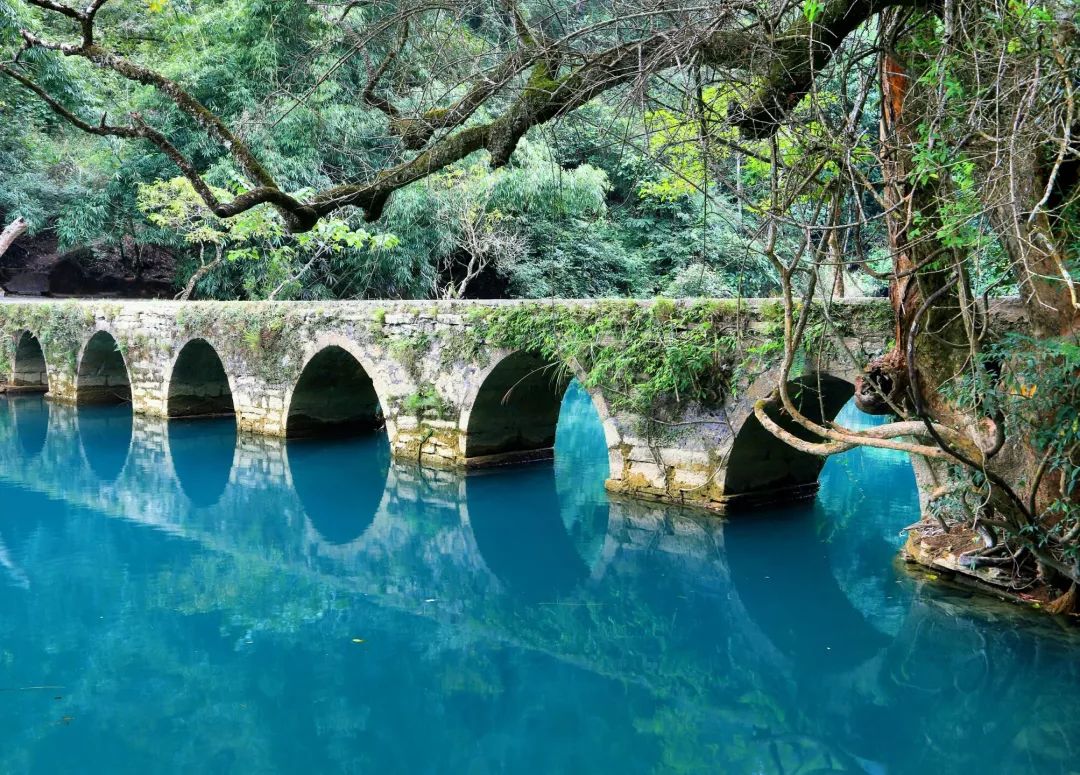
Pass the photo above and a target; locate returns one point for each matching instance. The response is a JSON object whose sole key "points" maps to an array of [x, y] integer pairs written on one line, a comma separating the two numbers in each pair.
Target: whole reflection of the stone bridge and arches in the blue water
{"points": [[596, 592]]}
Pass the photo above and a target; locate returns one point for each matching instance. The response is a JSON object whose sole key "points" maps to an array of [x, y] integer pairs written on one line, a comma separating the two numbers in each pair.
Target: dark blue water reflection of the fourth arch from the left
{"points": [[341, 515]]}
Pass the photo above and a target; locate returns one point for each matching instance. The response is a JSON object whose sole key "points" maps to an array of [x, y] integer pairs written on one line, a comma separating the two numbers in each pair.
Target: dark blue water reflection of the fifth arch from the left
{"points": [[523, 540]]}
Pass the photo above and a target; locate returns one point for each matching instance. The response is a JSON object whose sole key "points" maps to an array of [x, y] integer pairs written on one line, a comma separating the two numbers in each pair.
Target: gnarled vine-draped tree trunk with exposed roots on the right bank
{"points": [[939, 330]]}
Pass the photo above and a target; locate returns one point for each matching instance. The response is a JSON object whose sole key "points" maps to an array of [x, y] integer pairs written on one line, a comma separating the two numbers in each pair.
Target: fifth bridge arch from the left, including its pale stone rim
{"points": [[512, 407]]}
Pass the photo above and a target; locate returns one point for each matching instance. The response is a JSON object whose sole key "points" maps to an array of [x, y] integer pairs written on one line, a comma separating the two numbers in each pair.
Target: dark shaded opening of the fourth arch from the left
{"points": [[334, 397]]}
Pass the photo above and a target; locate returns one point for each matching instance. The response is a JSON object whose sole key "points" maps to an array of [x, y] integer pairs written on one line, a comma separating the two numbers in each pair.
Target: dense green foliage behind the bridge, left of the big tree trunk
{"points": [[601, 189]]}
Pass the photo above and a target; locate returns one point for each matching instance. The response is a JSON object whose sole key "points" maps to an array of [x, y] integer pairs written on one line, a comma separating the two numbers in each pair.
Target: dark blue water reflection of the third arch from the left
{"points": [[202, 455]]}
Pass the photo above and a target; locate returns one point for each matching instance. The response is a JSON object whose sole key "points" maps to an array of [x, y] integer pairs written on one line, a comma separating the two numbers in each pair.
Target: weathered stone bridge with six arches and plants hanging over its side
{"points": [[468, 384]]}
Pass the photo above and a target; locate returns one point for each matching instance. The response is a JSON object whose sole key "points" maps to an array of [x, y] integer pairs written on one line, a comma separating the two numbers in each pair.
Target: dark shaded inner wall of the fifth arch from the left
{"points": [[517, 412]]}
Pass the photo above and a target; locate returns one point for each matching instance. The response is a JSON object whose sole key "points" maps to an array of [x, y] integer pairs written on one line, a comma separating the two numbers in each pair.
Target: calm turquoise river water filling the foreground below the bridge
{"points": [[173, 600]]}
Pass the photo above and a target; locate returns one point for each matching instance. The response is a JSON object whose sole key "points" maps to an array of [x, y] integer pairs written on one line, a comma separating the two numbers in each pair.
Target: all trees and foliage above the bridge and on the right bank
{"points": [[804, 148]]}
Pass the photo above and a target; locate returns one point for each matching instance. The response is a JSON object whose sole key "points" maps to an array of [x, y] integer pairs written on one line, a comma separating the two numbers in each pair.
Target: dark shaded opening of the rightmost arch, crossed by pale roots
{"points": [[763, 469]]}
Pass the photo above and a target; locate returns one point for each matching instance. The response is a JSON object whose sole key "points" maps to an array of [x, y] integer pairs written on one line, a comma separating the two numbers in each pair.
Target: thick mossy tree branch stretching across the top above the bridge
{"points": [[790, 61]]}
